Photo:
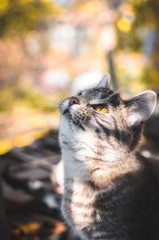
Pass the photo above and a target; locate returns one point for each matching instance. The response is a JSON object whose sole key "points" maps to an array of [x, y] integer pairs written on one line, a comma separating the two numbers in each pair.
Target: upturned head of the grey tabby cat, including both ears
{"points": [[101, 119]]}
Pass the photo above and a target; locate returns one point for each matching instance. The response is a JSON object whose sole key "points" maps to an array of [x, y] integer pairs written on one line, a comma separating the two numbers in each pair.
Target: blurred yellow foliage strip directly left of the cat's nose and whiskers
{"points": [[29, 97]]}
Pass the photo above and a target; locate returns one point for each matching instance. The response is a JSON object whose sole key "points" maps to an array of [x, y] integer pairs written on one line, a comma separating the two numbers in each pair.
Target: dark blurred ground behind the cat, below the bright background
{"points": [[32, 191]]}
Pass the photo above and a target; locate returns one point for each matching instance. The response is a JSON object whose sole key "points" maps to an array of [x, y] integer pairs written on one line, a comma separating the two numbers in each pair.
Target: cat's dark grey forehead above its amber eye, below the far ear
{"points": [[95, 93]]}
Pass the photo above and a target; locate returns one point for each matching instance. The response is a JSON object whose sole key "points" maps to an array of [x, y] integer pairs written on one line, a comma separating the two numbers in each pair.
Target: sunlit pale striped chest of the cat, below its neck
{"points": [[78, 203]]}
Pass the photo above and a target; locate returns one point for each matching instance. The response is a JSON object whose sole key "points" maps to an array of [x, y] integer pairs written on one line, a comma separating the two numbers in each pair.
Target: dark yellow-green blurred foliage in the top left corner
{"points": [[18, 16]]}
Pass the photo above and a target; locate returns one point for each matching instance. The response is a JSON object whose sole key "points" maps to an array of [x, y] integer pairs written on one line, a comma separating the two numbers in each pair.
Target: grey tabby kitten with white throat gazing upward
{"points": [[110, 191]]}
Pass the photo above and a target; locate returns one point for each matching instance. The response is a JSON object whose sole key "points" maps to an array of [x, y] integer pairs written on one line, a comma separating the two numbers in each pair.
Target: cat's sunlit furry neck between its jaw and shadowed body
{"points": [[101, 173]]}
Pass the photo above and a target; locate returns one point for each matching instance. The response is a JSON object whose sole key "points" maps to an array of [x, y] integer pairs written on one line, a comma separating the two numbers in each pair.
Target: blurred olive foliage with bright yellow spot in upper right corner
{"points": [[136, 16]]}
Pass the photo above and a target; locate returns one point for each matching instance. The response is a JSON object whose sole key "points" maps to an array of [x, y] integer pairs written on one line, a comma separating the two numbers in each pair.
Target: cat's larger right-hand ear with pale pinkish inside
{"points": [[141, 107]]}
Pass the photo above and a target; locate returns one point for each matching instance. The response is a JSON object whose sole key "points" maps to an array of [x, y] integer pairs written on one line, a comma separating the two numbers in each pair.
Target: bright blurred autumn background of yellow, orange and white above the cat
{"points": [[45, 45]]}
